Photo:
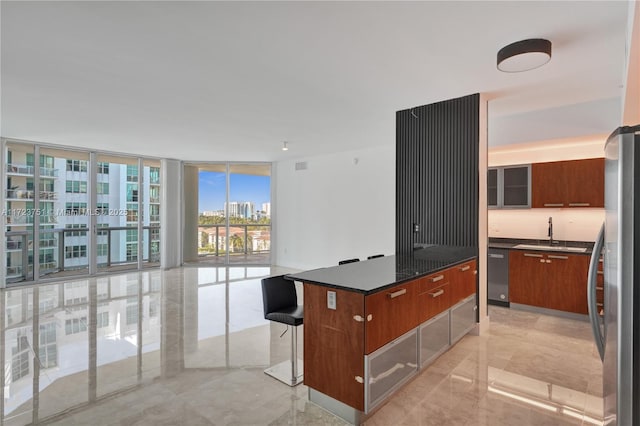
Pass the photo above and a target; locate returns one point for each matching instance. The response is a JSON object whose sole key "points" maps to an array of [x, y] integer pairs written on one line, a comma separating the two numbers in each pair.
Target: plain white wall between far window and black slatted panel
{"points": [[342, 206]]}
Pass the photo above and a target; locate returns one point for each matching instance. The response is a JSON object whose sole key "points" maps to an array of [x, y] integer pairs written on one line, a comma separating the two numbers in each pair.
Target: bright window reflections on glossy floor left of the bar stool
{"points": [[71, 344]]}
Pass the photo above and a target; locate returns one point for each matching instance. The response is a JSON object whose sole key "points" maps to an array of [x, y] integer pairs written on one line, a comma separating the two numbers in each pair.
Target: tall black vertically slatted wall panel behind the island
{"points": [[437, 174]]}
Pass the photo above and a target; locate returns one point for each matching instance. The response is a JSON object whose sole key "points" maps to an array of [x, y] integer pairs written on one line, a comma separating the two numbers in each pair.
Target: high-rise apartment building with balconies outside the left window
{"points": [[64, 212]]}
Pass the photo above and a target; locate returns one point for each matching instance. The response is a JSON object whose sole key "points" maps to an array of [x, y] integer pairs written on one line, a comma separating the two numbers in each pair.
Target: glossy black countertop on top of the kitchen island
{"points": [[371, 276]]}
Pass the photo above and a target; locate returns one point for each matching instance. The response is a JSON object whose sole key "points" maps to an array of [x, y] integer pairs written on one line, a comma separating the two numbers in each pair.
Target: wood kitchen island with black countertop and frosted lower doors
{"points": [[370, 326]]}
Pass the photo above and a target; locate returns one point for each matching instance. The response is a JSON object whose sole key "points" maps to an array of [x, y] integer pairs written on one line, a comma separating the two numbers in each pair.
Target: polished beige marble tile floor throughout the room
{"points": [[529, 369]]}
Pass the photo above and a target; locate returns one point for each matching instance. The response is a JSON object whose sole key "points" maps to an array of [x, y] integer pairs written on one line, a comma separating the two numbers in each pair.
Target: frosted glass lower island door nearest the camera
{"points": [[390, 367]]}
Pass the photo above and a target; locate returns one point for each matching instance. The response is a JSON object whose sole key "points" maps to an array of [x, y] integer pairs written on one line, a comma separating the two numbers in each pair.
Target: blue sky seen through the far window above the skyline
{"points": [[211, 191]]}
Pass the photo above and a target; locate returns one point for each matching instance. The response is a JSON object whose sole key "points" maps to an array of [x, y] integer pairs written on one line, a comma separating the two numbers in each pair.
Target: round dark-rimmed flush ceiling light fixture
{"points": [[524, 55]]}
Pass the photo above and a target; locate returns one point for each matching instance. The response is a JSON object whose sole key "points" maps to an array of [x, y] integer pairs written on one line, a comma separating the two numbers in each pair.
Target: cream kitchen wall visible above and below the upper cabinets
{"points": [[576, 224]]}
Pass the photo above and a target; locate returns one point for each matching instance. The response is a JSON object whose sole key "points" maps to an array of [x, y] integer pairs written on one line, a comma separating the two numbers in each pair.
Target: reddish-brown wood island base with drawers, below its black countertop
{"points": [[364, 347]]}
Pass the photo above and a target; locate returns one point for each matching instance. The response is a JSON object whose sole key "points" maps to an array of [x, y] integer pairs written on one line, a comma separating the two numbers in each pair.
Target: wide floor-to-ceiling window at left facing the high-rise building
{"points": [[73, 212]]}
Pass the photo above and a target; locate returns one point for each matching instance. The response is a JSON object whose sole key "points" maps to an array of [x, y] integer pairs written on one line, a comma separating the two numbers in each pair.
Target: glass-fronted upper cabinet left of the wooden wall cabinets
{"points": [[508, 186]]}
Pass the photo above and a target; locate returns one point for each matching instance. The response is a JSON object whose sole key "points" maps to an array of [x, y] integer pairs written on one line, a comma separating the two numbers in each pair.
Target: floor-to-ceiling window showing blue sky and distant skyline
{"points": [[228, 221]]}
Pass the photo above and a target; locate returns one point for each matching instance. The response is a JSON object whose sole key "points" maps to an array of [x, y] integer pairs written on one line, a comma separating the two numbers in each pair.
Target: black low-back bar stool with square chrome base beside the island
{"points": [[280, 303]]}
